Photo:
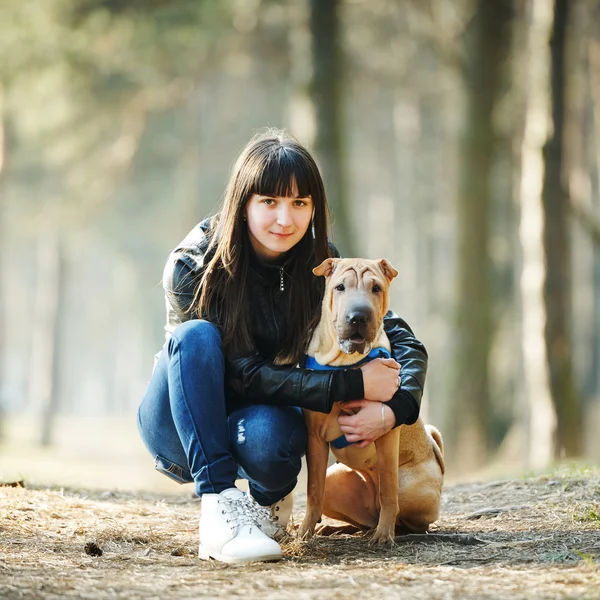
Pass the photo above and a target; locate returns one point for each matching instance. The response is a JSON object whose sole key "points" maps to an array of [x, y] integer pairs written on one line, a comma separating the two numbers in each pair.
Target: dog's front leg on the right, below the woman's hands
{"points": [[387, 468]]}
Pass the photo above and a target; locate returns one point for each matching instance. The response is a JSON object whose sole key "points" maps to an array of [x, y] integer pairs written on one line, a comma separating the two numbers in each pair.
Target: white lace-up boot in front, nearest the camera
{"points": [[229, 530]]}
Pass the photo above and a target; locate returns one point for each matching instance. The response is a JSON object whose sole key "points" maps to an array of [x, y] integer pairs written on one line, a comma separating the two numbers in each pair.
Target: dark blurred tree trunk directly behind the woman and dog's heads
{"points": [[326, 94]]}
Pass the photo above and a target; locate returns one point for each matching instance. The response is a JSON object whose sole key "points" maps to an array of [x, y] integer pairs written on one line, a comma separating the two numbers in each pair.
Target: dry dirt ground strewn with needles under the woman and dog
{"points": [[530, 538]]}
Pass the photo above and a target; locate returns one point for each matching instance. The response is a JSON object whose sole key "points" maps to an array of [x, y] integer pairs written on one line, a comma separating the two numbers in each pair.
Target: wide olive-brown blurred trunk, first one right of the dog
{"points": [[486, 44]]}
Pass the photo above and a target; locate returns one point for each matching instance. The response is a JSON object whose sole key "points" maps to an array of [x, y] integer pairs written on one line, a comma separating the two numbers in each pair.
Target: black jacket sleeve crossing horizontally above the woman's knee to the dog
{"points": [[260, 381]]}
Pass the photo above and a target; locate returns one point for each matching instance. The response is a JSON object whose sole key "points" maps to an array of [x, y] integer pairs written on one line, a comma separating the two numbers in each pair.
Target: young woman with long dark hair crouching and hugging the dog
{"points": [[225, 398]]}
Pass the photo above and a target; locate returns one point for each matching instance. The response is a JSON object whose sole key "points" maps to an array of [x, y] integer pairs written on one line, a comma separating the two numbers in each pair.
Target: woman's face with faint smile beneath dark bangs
{"points": [[277, 223]]}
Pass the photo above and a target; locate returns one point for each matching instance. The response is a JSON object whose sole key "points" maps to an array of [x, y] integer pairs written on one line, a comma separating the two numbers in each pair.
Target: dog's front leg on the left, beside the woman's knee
{"points": [[317, 454]]}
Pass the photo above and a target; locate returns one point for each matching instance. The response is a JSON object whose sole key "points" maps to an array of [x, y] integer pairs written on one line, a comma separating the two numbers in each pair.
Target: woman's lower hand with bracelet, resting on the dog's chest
{"points": [[371, 421]]}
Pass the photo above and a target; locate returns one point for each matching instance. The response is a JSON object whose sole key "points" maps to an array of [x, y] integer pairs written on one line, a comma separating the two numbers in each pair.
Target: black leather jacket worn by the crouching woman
{"points": [[255, 378]]}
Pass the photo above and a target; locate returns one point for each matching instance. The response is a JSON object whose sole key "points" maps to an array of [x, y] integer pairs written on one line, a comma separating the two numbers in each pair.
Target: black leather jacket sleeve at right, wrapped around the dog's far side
{"points": [[410, 353]]}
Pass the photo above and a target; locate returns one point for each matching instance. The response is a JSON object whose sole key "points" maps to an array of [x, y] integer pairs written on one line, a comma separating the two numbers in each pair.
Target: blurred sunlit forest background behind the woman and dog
{"points": [[460, 139]]}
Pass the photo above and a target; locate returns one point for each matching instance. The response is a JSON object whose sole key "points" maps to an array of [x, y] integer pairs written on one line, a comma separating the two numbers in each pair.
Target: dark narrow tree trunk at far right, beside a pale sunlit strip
{"points": [[557, 286]]}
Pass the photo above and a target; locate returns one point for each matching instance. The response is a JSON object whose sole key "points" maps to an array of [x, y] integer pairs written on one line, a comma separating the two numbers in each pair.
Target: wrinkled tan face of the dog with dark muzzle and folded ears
{"points": [[356, 299]]}
